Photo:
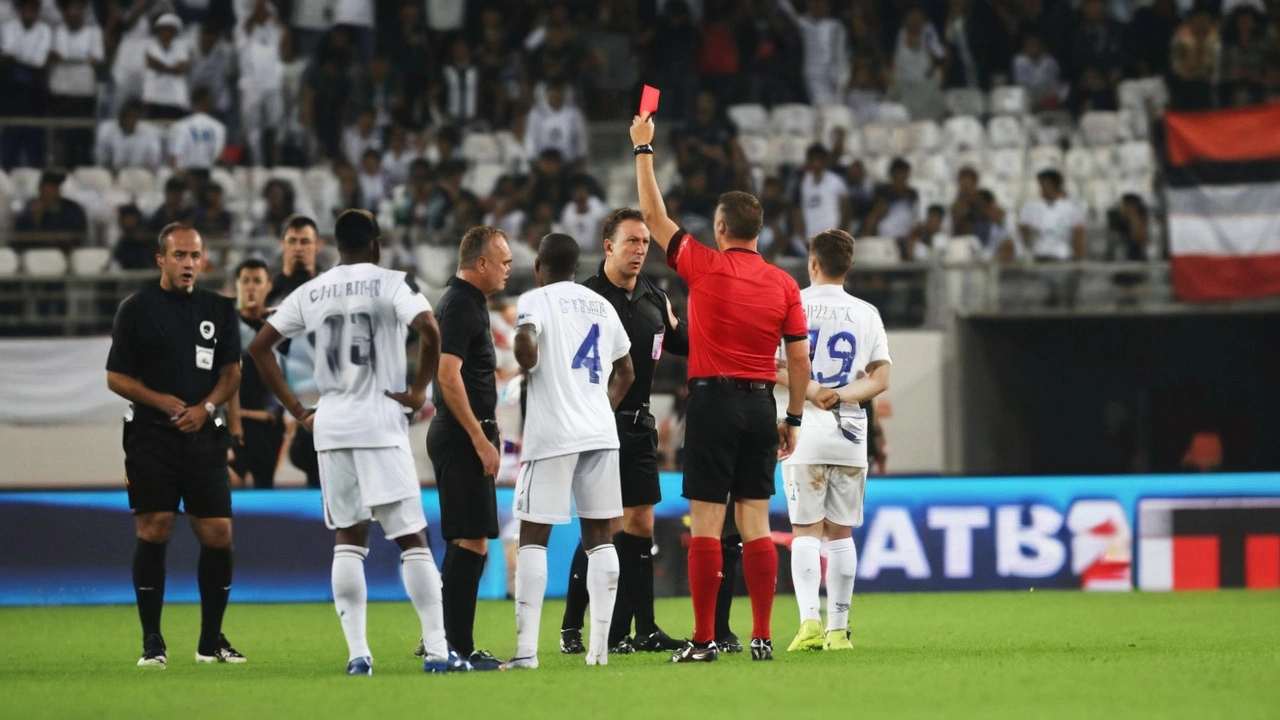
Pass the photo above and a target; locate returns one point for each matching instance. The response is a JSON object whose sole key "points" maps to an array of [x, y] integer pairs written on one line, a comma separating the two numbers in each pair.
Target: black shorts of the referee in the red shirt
{"points": [[732, 440]]}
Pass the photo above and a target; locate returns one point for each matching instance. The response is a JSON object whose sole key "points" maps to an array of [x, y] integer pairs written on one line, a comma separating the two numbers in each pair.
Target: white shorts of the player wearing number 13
{"points": [[372, 484]]}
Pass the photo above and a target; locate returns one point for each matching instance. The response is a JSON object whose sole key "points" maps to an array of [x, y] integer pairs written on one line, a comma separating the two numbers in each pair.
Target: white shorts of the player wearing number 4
{"points": [[548, 489]]}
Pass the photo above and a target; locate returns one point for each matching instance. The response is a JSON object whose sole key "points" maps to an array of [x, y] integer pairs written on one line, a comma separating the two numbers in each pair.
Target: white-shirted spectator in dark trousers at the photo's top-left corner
{"points": [[25, 44]]}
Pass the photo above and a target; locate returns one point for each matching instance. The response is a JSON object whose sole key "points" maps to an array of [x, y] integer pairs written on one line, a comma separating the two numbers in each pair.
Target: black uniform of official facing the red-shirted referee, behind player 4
{"points": [[644, 315]]}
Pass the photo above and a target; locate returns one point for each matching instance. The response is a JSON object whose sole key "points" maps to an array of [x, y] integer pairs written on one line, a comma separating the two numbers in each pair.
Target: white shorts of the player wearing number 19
{"points": [[825, 493]]}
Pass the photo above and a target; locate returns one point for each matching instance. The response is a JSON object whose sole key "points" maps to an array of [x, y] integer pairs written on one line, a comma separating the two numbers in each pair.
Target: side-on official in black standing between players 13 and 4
{"points": [[464, 436]]}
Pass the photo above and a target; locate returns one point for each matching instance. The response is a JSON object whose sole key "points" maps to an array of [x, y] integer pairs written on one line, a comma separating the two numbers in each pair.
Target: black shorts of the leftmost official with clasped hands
{"points": [[164, 467]]}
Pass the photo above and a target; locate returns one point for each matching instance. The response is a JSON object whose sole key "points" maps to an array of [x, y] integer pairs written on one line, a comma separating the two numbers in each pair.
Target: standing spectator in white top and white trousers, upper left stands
{"points": [[258, 44]]}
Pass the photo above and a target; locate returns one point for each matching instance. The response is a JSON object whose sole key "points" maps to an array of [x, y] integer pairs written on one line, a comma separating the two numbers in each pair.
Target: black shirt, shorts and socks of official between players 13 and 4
{"points": [[469, 504]]}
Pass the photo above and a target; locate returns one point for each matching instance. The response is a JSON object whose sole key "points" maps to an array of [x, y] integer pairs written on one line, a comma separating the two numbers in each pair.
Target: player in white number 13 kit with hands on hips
{"points": [[359, 313]]}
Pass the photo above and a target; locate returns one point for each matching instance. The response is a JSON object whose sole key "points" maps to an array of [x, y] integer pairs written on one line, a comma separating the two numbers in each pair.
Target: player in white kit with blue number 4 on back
{"points": [[566, 338]]}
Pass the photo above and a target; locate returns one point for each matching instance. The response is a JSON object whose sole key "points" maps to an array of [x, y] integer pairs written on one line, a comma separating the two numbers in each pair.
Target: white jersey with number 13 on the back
{"points": [[359, 316]]}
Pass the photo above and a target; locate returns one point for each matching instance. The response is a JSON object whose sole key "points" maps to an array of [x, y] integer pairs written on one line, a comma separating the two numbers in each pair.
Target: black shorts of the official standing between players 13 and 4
{"points": [[469, 503]]}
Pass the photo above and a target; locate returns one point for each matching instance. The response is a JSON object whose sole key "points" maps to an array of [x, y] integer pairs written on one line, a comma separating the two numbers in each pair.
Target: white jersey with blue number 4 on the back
{"points": [[568, 400]]}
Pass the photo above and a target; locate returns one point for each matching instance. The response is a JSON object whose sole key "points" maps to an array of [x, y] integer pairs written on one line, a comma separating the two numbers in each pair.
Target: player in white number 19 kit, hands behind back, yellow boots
{"points": [[826, 477]]}
